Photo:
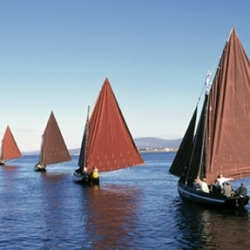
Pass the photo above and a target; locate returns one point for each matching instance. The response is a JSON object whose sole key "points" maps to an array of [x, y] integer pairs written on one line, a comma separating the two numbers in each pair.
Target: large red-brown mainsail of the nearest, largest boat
{"points": [[228, 122]]}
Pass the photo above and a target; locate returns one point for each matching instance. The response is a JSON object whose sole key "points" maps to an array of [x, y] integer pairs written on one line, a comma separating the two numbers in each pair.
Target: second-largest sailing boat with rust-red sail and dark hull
{"points": [[107, 143]]}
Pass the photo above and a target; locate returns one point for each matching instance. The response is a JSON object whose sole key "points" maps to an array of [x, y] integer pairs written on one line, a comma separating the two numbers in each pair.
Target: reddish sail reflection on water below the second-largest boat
{"points": [[111, 215]]}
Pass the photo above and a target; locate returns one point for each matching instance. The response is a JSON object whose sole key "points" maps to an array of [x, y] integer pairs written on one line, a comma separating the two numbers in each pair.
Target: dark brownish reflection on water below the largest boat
{"points": [[201, 228]]}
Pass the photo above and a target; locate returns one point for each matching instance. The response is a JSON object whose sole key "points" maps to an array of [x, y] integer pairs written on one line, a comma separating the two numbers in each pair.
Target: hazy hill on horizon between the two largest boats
{"points": [[154, 142]]}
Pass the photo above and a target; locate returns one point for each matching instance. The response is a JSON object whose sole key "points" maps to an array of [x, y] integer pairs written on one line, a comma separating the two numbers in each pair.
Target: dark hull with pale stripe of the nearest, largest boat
{"points": [[189, 194]]}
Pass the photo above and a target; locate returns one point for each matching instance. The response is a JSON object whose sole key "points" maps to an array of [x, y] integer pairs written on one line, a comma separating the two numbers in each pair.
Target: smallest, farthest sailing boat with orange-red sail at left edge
{"points": [[9, 149]]}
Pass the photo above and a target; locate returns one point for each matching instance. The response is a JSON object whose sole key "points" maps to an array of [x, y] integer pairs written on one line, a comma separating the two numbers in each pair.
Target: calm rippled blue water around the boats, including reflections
{"points": [[135, 208]]}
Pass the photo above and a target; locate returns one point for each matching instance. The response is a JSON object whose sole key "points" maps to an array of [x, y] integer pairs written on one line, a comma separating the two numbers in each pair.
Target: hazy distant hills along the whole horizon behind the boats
{"points": [[141, 143]]}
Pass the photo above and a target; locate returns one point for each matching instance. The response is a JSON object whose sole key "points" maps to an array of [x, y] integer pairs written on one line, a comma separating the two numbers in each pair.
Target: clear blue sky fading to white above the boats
{"points": [[55, 55]]}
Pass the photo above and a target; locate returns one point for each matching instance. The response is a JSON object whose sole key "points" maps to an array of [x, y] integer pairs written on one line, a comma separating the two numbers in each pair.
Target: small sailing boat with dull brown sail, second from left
{"points": [[53, 148]]}
